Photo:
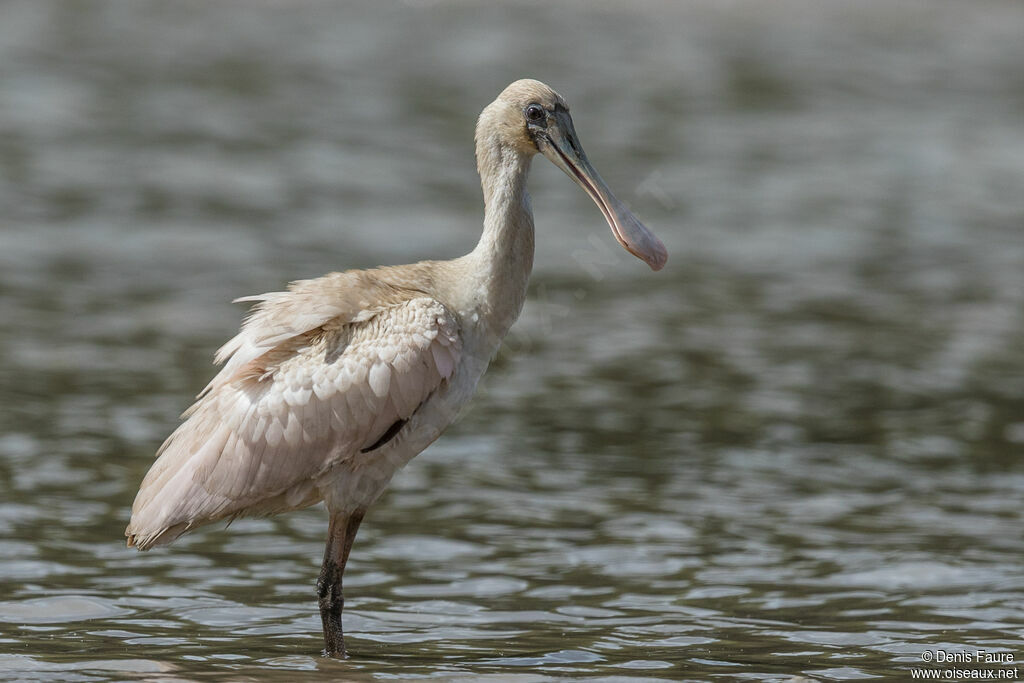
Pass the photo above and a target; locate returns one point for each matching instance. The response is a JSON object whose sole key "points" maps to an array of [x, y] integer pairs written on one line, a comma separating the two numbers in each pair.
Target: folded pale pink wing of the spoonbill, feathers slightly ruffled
{"points": [[297, 396]]}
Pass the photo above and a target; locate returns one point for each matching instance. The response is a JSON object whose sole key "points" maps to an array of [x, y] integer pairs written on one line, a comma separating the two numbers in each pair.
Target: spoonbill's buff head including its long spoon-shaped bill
{"points": [[529, 117]]}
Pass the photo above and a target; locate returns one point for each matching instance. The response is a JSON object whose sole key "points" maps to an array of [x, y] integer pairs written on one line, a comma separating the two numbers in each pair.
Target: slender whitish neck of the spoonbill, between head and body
{"points": [[504, 258]]}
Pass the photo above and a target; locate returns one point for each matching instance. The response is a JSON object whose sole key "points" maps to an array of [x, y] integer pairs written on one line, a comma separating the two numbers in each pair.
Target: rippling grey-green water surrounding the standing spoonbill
{"points": [[797, 451]]}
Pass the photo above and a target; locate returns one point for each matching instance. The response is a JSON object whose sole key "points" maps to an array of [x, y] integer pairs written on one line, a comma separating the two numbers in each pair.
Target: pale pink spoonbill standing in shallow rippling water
{"points": [[332, 387]]}
